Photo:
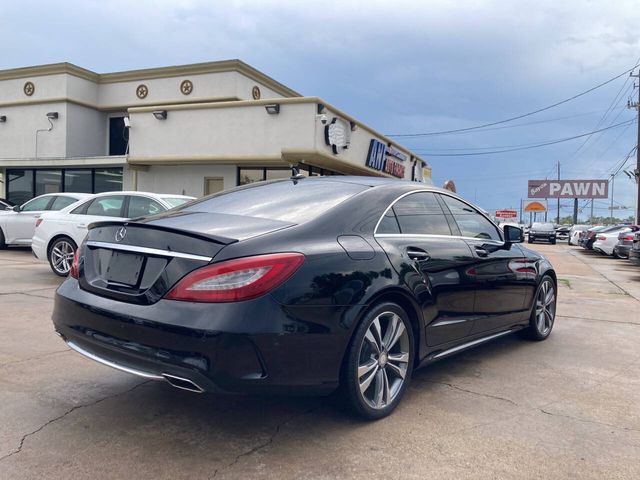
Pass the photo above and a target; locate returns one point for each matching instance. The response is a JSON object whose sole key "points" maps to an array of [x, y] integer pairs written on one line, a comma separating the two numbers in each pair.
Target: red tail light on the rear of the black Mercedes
{"points": [[236, 280]]}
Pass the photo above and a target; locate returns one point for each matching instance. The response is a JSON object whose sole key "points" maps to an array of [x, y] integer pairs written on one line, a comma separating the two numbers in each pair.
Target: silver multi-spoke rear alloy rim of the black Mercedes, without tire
{"points": [[383, 360]]}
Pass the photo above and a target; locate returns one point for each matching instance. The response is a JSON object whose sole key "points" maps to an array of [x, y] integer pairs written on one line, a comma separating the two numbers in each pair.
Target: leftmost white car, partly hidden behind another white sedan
{"points": [[18, 223]]}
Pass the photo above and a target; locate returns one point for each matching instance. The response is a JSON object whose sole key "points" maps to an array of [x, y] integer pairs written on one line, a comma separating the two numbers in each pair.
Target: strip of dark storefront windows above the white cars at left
{"points": [[24, 184]]}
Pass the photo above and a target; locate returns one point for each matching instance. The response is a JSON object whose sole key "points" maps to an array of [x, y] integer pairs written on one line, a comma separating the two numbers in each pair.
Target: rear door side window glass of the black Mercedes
{"points": [[416, 214]]}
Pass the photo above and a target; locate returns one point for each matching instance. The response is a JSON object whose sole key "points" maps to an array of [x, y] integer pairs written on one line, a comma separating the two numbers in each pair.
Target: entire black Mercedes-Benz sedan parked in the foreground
{"points": [[303, 286]]}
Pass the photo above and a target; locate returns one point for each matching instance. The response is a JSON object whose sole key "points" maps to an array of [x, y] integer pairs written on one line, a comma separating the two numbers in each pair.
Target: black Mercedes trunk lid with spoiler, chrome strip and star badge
{"points": [[139, 261]]}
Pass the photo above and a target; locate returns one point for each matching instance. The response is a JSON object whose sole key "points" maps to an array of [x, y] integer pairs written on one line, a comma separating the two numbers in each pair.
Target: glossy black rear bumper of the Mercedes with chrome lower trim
{"points": [[246, 347]]}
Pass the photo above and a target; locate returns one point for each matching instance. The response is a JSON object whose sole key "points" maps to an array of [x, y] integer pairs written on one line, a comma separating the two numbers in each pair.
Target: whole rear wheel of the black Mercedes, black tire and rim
{"points": [[377, 366]]}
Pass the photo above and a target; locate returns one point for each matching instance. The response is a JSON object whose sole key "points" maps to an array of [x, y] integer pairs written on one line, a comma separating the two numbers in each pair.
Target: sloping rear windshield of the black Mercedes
{"points": [[283, 200]]}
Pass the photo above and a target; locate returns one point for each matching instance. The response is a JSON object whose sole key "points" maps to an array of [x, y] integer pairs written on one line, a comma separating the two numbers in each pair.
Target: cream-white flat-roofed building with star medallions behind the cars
{"points": [[192, 129]]}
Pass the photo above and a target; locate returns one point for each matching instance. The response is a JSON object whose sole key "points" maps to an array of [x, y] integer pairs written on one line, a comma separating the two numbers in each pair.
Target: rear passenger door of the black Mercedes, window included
{"points": [[416, 235]]}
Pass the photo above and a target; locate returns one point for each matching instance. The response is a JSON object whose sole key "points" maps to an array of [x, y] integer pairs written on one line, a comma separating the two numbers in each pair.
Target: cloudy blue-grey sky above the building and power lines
{"points": [[400, 66]]}
